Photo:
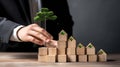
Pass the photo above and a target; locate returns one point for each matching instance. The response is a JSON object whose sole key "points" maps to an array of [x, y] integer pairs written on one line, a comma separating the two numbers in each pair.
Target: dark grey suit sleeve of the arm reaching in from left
{"points": [[6, 28]]}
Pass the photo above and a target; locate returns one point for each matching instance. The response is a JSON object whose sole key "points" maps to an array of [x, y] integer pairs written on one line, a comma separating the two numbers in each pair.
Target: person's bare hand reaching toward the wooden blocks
{"points": [[34, 33]]}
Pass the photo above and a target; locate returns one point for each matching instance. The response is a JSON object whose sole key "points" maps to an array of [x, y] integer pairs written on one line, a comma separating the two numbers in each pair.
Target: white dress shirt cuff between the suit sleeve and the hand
{"points": [[14, 36]]}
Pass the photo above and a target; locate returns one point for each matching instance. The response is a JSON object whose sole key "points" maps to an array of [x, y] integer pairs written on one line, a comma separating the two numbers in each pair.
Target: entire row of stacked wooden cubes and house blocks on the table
{"points": [[68, 52]]}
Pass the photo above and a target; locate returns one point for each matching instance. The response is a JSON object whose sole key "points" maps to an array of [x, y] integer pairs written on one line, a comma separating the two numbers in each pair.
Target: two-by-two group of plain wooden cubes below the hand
{"points": [[47, 54]]}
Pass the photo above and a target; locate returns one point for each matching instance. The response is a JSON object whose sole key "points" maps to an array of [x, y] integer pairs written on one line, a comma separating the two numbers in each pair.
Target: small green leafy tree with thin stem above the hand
{"points": [[44, 14]]}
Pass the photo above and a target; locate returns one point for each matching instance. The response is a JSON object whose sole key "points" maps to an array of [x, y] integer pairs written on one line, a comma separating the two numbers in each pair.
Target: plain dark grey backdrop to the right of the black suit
{"points": [[98, 22]]}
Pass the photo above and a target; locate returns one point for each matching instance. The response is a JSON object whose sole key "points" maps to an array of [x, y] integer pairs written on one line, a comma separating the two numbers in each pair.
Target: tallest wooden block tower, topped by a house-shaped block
{"points": [[62, 44]]}
